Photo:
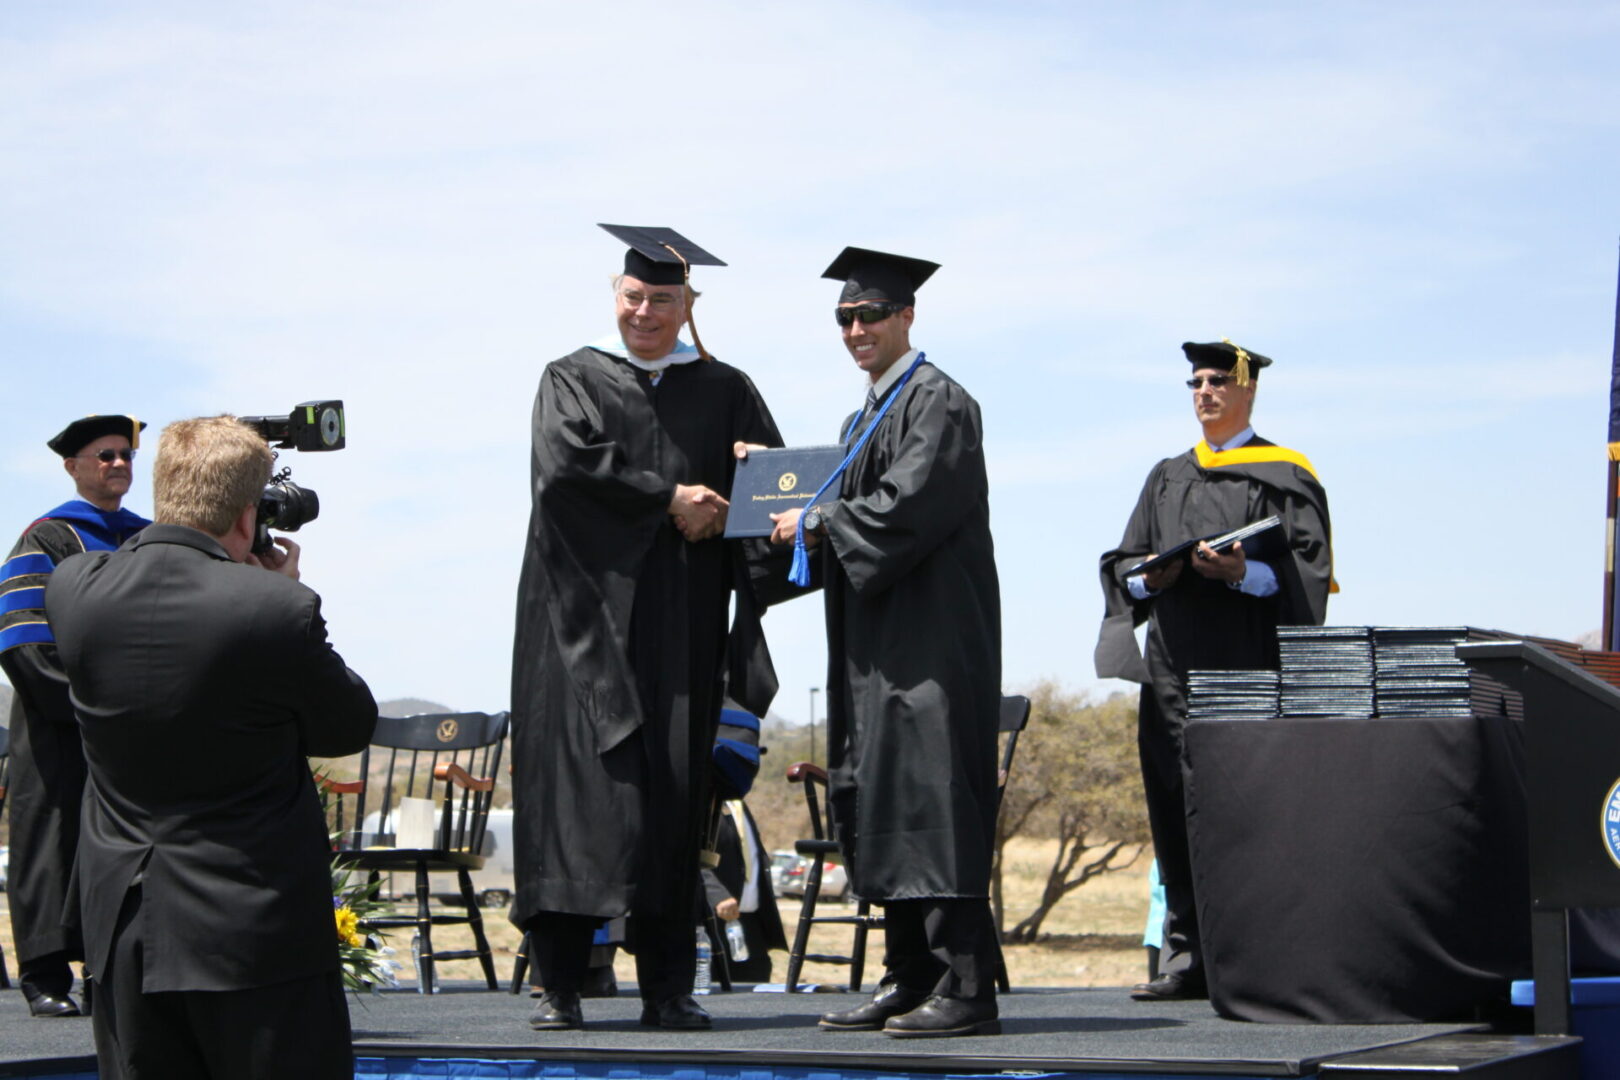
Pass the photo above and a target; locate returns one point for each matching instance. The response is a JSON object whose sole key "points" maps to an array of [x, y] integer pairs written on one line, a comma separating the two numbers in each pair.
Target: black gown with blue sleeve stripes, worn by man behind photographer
{"points": [[48, 759]]}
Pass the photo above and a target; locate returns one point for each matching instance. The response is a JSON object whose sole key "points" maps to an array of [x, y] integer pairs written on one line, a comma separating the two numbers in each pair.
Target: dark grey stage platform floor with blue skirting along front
{"points": [[1089, 1034]]}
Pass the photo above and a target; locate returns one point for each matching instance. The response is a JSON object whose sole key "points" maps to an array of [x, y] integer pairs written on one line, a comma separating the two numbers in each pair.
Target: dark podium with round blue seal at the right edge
{"points": [[1572, 744]]}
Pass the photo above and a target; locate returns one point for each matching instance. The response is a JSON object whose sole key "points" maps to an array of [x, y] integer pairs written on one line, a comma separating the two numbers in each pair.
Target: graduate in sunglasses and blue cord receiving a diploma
{"points": [[914, 663]]}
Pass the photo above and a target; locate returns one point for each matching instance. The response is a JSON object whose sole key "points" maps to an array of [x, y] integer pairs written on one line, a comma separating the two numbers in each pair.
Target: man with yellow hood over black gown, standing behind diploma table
{"points": [[1214, 611]]}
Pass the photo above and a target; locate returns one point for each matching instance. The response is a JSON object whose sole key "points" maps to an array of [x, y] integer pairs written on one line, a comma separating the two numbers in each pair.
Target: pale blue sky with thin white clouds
{"points": [[1413, 208]]}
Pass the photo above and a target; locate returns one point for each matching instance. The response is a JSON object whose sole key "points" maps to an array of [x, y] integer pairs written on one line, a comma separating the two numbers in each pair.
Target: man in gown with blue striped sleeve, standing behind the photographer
{"points": [[48, 762]]}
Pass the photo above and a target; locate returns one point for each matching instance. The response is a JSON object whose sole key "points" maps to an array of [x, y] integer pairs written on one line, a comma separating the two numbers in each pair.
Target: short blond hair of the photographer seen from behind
{"points": [[208, 472]]}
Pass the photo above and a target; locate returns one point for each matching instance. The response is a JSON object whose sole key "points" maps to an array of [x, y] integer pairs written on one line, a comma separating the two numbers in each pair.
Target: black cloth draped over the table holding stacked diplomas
{"points": [[1360, 872]]}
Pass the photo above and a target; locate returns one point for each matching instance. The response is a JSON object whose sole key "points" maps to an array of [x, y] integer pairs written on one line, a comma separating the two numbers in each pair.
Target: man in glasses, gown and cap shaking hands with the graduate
{"points": [[621, 639]]}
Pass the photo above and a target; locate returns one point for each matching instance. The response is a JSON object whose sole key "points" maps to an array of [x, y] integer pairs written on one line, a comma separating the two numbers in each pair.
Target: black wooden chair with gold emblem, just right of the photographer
{"points": [[422, 807]]}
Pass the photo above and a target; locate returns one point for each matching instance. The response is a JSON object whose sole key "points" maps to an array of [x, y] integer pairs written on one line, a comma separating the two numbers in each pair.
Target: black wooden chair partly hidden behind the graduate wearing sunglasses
{"points": [[1015, 715]]}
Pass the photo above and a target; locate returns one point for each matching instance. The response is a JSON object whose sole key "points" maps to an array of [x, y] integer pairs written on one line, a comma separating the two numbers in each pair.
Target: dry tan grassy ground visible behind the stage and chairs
{"points": [[1093, 938]]}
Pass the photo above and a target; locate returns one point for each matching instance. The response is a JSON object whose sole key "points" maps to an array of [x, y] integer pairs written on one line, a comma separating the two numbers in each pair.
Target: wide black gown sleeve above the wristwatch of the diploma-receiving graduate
{"points": [[934, 482]]}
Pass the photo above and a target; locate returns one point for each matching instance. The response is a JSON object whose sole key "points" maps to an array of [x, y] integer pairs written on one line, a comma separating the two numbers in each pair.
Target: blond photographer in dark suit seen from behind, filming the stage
{"points": [[202, 679]]}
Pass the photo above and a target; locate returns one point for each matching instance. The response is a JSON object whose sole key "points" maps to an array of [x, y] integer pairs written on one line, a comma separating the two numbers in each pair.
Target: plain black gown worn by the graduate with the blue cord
{"points": [[914, 652]]}
